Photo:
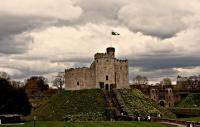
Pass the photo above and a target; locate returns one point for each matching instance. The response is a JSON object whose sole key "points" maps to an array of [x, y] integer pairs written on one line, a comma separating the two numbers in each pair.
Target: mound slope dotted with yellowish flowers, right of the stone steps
{"points": [[138, 103]]}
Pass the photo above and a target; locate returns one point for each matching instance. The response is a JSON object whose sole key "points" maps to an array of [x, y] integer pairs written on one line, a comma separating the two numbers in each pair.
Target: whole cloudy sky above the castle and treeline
{"points": [[160, 38]]}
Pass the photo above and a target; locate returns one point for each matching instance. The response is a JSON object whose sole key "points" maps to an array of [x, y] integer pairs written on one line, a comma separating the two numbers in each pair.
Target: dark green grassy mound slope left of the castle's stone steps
{"points": [[80, 105]]}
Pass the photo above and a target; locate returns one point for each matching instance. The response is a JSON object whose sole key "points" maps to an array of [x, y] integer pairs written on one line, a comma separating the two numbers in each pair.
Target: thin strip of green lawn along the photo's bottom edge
{"points": [[92, 124]]}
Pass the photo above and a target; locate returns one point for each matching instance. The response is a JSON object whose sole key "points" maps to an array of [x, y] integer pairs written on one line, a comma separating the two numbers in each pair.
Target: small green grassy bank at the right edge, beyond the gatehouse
{"points": [[191, 101]]}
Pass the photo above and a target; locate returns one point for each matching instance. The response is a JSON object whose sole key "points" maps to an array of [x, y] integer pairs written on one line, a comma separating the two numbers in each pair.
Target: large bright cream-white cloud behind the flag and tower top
{"points": [[85, 40]]}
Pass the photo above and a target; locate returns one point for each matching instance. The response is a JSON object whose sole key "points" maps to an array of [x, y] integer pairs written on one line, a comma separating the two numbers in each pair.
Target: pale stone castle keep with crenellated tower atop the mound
{"points": [[106, 72]]}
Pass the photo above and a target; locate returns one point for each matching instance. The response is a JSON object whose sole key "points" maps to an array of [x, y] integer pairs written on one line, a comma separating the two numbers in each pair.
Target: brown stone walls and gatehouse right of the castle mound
{"points": [[167, 95]]}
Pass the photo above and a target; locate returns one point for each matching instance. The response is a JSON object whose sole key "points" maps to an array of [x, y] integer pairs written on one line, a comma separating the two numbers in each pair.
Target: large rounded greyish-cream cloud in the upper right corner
{"points": [[159, 17]]}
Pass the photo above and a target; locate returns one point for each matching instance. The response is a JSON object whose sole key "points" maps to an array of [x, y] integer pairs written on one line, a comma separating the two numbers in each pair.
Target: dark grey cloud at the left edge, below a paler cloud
{"points": [[10, 29]]}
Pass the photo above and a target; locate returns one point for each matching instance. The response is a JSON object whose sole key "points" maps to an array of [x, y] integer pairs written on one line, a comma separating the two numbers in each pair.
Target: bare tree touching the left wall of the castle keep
{"points": [[59, 81]]}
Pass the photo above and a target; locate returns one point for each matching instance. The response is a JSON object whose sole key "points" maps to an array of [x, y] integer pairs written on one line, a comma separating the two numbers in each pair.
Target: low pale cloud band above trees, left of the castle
{"points": [[24, 68]]}
